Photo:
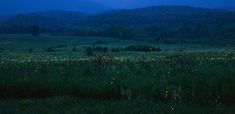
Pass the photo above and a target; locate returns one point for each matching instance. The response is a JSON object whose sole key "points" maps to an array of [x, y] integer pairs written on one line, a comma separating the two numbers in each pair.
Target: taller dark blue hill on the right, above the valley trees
{"points": [[162, 15]]}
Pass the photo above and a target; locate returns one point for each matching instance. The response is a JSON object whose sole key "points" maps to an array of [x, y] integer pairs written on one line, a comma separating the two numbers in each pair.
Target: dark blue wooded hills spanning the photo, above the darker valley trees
{"points": [[170, 16]]}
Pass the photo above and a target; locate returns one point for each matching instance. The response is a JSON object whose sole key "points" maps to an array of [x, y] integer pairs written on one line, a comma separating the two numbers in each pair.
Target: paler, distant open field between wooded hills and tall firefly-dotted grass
{"points": [[20, 43]]}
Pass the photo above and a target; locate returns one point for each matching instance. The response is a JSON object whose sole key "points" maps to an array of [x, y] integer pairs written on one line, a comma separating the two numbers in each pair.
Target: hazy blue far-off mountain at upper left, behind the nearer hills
{"points": [[26, 6]]}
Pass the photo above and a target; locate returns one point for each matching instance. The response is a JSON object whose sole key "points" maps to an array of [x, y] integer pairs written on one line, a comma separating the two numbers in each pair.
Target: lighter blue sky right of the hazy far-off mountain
{"points": [[145, 3]]}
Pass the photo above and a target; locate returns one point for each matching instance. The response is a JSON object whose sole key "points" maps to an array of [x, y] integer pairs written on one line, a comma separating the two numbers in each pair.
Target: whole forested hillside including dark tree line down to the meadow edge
{"points": [[159, 22]]}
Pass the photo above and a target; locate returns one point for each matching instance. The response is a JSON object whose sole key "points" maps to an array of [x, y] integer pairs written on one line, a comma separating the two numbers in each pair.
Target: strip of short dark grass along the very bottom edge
{"points": [[70, 105]]}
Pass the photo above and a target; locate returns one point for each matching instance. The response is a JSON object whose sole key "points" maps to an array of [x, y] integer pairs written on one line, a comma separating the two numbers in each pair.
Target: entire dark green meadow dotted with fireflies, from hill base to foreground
{"points": [[56, 74]]}
